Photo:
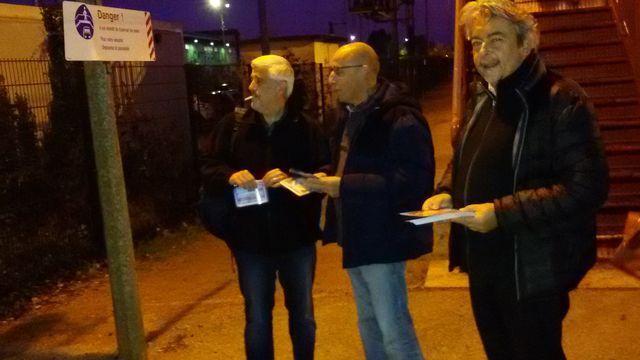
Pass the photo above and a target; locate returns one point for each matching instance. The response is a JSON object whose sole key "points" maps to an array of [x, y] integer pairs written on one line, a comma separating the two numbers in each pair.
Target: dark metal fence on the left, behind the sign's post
{"points": [[49, 210]]}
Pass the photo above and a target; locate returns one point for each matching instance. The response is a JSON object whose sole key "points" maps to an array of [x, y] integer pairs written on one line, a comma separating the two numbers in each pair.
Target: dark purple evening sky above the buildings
{"points": [[289, 17]]}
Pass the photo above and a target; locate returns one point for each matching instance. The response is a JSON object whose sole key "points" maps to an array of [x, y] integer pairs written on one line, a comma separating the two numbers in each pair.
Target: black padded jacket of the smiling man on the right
{"points": [[560, 179]]}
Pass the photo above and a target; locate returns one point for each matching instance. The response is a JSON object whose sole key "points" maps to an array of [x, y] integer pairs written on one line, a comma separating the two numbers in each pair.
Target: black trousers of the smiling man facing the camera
{"points": [[517, 330]]}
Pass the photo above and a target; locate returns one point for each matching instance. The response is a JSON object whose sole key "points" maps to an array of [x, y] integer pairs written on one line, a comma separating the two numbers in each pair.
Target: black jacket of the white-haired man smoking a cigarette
{"points": [[287, 221]]}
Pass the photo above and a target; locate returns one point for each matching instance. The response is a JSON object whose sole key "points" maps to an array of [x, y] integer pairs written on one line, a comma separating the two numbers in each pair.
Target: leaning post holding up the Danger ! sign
{"points": [[115, 214]]}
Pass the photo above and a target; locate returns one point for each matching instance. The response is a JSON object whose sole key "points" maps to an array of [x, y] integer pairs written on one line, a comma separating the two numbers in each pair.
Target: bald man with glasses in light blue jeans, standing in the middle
{"points": [[382, 164]]}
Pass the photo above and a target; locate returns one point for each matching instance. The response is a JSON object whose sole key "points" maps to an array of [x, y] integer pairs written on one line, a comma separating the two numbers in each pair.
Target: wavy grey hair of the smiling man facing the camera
{"points": [[525, 24]]}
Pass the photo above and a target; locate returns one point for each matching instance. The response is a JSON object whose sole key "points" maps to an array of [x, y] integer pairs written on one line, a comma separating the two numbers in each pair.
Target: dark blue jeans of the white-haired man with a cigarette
{"points": [[257, 276]]}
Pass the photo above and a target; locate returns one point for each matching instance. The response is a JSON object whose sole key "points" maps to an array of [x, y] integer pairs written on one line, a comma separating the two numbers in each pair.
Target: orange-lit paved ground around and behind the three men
{"points": [[193, 308]]}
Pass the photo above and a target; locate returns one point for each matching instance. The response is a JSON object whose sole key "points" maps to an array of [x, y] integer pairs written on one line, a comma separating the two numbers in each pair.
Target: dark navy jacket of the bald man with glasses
{"points": [[389, 169]]}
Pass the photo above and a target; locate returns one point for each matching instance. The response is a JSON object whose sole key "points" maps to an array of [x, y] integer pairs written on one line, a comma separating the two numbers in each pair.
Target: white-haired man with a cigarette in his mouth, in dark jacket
{"points": [[275, 239]]}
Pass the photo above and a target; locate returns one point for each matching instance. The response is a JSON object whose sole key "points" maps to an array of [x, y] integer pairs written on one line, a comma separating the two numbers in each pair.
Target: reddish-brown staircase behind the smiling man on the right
{"points": [[584, 44]]}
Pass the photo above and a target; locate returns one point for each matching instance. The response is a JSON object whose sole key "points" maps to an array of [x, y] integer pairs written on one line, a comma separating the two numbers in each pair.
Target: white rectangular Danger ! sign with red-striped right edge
{"points": [[104, 33]]}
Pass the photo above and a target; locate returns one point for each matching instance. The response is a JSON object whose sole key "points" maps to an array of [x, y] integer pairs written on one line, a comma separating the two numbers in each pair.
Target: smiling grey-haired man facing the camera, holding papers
{"points": [[529, 163]]}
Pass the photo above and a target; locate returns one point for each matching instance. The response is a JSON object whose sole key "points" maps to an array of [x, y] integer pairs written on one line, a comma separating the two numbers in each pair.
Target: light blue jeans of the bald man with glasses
{"points": [[384, 321]]}
